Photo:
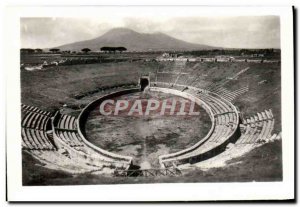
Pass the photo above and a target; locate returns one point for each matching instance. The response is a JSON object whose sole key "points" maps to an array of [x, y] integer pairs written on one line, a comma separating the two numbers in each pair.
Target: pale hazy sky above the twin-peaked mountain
{"points": [[231, 32]]}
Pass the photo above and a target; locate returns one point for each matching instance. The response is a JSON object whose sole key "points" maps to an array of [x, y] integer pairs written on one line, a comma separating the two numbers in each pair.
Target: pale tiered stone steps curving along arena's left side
{"points": [[59, 146]]}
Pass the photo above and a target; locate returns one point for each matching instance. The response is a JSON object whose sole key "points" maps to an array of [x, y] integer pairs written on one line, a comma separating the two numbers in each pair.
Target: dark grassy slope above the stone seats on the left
{"points": [[53, 87]]}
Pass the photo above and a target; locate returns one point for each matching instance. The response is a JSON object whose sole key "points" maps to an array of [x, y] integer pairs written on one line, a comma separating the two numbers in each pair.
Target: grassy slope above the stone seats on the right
{"points": [[266, 95]]}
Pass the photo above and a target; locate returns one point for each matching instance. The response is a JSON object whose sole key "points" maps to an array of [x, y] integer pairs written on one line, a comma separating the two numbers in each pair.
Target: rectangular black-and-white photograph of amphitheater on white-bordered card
{"points": [[176, 98]]}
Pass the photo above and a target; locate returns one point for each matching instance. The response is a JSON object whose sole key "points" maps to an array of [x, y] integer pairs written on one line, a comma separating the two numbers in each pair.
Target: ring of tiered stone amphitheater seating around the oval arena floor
{"points": [[59, 140]]}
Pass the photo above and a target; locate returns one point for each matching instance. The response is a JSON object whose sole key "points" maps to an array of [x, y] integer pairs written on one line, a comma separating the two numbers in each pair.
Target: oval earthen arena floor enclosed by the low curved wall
{"points": [[146, 137]]}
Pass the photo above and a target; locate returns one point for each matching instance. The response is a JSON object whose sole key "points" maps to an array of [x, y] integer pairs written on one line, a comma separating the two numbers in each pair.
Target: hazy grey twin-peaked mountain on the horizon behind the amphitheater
{"points": [[134, 41]]}
